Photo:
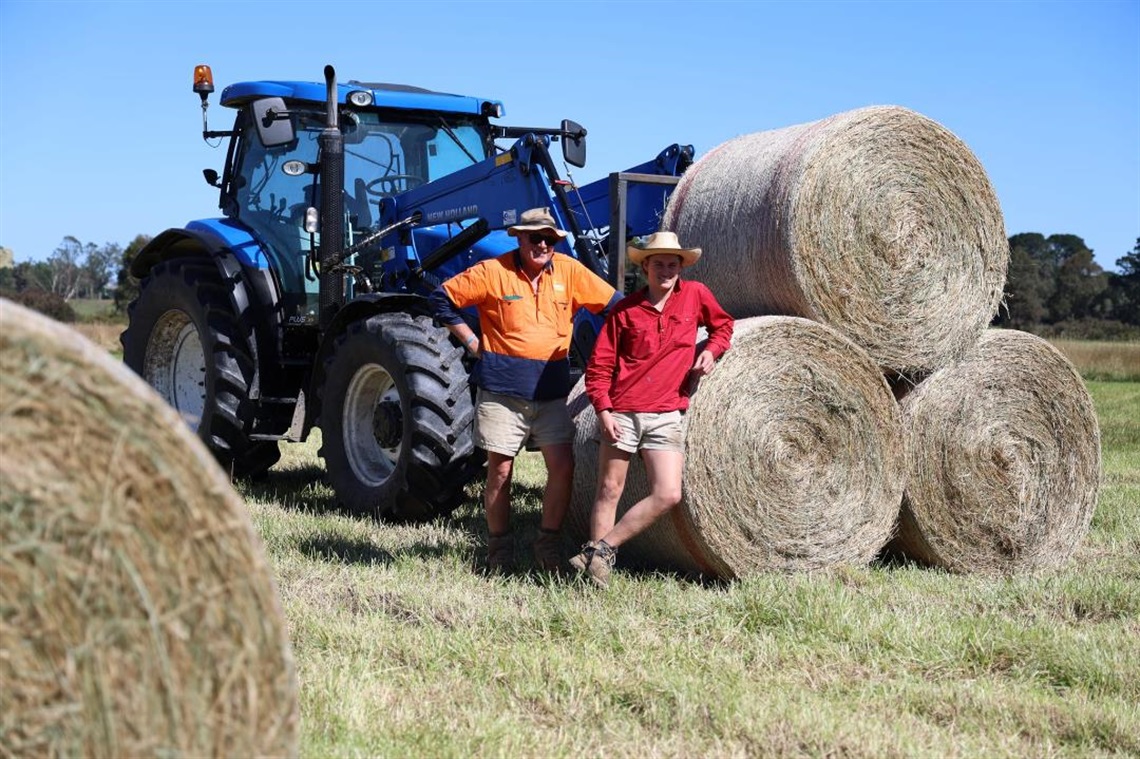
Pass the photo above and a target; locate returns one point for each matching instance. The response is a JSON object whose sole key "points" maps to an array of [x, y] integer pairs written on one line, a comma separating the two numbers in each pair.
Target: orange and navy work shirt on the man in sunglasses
{"points": [[525, 346]]}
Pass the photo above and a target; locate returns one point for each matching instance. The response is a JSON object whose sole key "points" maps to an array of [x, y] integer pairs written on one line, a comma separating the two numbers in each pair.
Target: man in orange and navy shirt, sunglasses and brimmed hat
{"points": [[526, 300]]}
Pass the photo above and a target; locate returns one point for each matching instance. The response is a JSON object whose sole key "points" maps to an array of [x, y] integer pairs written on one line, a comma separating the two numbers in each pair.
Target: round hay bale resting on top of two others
{"points": [[878, 223]]}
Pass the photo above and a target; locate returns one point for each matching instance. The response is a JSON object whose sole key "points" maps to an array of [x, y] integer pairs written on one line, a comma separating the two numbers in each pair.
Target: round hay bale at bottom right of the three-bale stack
{"points": [[1004, 453]]}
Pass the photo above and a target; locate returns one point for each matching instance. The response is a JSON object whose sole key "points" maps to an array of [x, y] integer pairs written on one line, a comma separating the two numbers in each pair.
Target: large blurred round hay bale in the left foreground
{"points": [[139, 616]]}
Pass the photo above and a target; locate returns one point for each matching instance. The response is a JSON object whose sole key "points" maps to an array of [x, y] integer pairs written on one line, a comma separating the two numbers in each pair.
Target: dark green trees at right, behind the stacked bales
{"points": [[1055, 289]]}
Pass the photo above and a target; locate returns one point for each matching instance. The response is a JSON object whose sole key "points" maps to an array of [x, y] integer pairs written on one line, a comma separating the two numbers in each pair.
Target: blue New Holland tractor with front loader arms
{"points": [[305, 304]]}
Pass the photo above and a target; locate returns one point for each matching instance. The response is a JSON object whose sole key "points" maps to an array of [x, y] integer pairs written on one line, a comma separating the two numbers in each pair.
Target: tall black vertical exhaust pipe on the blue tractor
{"points": [[332, 208]]}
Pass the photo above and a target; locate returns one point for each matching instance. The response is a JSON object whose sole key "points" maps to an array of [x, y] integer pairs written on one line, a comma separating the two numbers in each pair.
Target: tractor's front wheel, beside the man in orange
{"points": [[396, 420]]}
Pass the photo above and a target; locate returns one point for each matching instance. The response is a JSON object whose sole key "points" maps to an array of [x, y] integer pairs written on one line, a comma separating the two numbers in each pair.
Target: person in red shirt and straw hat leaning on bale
{"points": [[639, 379]]}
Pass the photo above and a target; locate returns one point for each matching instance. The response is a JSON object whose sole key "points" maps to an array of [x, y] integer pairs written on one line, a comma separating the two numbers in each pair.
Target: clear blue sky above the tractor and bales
{"points": [[101, 133]]}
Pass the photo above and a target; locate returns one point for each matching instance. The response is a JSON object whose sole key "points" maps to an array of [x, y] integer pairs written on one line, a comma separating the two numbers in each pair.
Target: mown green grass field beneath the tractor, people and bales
{"points": [[404, 650]]}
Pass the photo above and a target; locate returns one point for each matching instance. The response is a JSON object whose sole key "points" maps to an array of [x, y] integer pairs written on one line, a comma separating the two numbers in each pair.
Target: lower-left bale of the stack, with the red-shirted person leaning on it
{"points": [[793, 460]]}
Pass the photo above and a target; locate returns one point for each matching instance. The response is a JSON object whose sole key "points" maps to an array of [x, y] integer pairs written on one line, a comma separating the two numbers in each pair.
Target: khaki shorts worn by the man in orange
{"points": [[504, 423]]}
